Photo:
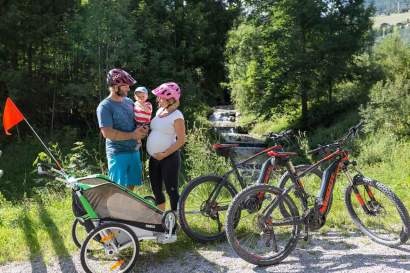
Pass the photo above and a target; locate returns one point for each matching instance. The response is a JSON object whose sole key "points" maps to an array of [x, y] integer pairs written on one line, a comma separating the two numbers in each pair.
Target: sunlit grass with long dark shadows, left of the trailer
{"points": [[36, 228]]}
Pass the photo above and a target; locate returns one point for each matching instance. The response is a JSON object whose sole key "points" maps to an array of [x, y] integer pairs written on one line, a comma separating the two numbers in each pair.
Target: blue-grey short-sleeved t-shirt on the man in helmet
{"points": [[119, 116]]}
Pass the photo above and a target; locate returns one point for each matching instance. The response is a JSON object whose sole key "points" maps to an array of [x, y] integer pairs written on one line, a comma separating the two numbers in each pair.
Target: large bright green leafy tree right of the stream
{"points": [[302, 44]]}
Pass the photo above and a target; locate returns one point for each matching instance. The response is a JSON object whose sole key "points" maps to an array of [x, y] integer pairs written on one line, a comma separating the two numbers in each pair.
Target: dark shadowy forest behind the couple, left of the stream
{"points": [[54, 54]]}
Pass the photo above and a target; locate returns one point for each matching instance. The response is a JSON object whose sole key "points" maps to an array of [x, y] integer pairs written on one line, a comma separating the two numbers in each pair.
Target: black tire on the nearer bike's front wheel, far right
{"points": [[391, 196]]}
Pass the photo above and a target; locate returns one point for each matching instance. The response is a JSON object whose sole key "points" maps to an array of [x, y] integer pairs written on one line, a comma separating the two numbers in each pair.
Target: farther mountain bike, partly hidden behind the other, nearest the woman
{"points": [[205, 200]]}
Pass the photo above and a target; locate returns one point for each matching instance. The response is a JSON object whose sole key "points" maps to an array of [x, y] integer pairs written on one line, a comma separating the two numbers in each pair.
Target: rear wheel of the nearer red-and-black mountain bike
{"points": [[257, 238]]}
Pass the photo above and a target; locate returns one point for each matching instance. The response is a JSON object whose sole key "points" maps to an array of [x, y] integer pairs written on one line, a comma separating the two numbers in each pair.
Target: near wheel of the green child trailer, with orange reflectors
{"points": [[111, 247]]}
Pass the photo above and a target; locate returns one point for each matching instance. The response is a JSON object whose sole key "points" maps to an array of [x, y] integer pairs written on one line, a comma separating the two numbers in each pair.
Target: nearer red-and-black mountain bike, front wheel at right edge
{"points": [[268, 230]]}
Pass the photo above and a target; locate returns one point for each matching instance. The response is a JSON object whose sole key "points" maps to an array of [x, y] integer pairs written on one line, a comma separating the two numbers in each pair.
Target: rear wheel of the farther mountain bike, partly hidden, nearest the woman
{"points": [[201, 219]]}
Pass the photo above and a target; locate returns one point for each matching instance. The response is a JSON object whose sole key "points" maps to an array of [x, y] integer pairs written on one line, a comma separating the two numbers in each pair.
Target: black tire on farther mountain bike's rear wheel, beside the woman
{"points": [[186, 225]]}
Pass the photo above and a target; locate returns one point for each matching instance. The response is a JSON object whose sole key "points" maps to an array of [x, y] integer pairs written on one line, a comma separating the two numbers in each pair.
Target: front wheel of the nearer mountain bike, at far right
{"points": [[377, 211]]}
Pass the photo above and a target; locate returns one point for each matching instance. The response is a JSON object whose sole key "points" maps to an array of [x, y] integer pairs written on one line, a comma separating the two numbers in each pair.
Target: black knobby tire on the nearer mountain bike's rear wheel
{"points": [[232, 219]]}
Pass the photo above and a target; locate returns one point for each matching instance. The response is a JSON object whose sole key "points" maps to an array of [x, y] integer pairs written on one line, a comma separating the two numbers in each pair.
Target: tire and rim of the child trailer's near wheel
{"points": [[90, 238]]}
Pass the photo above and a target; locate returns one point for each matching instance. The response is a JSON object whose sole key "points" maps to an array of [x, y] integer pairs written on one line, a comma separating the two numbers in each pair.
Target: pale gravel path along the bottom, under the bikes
{"points": [[332, 252]]}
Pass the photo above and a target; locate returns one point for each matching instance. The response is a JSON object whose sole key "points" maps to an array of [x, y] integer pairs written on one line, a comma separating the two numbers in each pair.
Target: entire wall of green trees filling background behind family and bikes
{"points": [[295, 63]]}
